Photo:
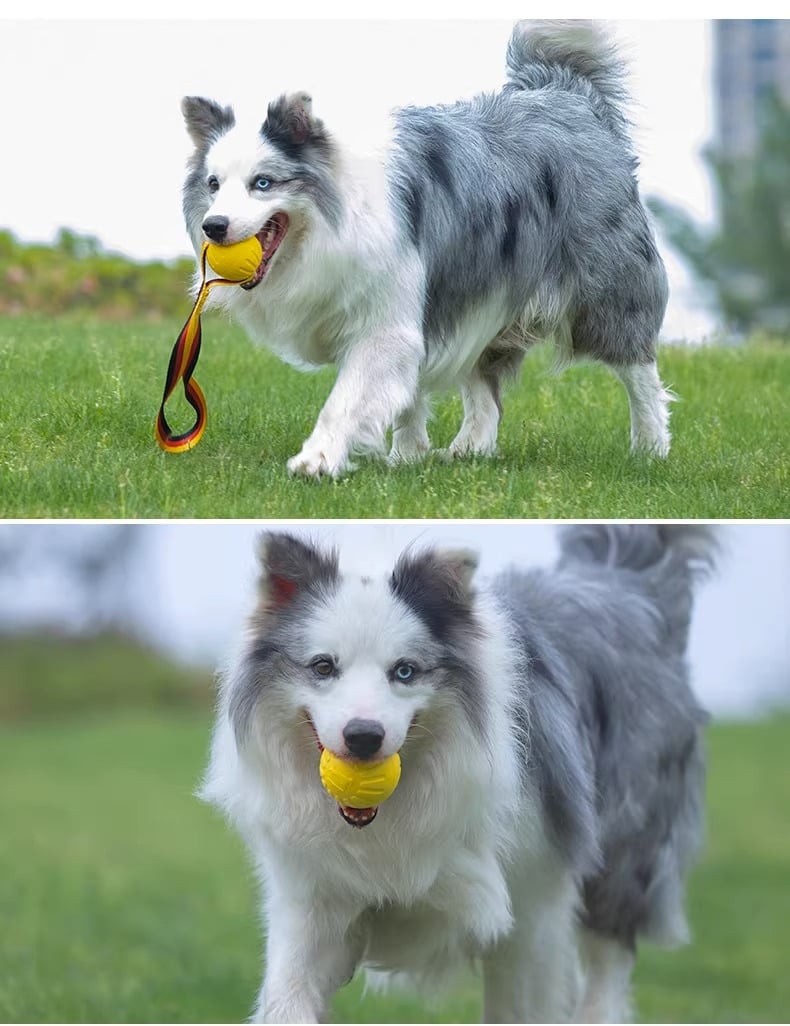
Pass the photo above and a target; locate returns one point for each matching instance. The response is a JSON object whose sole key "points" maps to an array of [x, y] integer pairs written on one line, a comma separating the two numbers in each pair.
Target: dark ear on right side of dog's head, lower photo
{"points": [[438, 586]]}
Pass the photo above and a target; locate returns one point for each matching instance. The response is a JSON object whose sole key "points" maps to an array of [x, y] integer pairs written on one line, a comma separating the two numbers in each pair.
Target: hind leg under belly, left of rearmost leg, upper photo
{"points": [[483, 403]]}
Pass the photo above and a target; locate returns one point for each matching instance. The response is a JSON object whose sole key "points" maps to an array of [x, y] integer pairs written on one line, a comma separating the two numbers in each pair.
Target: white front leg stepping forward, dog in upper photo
{"points": [[376, 382]]}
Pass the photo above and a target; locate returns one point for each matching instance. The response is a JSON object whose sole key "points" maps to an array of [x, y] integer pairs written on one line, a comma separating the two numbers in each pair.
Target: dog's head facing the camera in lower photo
{"points": [[355, 663]]}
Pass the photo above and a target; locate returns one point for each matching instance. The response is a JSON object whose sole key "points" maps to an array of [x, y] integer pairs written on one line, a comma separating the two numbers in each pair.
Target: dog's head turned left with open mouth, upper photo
{"points": [[271, 182]]}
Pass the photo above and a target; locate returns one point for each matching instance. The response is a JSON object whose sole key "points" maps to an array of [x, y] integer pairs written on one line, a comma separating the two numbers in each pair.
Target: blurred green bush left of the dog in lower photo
{"points": [[48, 677]]}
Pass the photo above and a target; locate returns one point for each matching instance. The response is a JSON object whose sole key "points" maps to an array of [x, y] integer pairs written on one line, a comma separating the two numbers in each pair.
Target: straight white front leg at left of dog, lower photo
{"points": [[311, 952]]}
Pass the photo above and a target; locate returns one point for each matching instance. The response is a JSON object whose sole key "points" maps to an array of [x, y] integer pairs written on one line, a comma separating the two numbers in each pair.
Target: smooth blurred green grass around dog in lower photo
{"points": [[124, 899]]}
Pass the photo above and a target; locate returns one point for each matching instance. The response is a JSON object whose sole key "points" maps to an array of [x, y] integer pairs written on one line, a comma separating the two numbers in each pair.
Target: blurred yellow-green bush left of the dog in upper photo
{"points": [[77, 275]]}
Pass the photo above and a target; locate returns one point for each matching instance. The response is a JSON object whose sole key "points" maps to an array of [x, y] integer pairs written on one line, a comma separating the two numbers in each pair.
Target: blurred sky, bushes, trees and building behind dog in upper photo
{"points": [[93, 220]]}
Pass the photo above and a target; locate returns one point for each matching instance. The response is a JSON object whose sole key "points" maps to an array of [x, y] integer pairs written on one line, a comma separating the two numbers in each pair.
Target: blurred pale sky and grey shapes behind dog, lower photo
{"points": [[184, 590]]}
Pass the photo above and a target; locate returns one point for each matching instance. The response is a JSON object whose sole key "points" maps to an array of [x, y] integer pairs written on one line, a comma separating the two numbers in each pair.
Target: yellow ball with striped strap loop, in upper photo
{"points": [[235, 264]]}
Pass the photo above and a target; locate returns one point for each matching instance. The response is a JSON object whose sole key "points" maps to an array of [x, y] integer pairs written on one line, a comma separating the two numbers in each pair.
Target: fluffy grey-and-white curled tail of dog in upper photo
{"points": [[576, 57]]}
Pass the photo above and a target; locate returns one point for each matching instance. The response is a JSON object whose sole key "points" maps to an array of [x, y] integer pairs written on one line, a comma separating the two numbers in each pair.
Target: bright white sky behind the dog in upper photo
{"points": [[97, 142]]}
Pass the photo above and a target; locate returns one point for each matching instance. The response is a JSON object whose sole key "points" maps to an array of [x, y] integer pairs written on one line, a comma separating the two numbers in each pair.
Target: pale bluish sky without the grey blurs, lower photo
{"points": [[194, 585]]}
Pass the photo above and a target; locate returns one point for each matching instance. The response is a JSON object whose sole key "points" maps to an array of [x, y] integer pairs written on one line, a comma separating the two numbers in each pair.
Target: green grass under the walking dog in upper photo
{"points": [[81, 400]]}
